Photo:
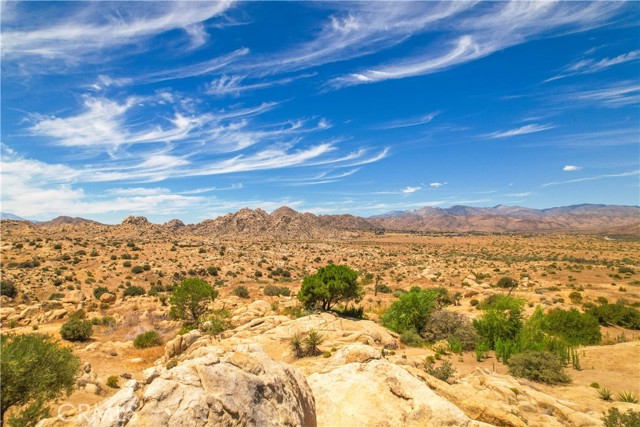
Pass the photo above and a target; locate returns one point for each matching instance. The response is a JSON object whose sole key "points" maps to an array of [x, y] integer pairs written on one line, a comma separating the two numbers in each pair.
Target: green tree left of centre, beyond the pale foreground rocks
{"points": [[190, 299]]}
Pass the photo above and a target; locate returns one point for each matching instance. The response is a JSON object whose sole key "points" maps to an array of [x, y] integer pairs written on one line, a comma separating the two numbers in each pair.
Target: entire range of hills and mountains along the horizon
{"points": [[287, 223]]}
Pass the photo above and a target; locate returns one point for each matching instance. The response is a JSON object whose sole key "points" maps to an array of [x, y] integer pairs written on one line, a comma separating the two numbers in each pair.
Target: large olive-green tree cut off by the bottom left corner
{"points": [[35, 369]]}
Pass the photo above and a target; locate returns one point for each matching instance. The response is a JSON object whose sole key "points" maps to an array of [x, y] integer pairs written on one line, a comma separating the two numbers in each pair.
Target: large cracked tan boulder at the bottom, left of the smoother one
{"points": [[240, 387]]}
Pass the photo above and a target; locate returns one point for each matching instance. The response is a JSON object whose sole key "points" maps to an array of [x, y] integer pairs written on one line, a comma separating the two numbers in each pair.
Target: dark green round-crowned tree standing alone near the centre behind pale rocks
{"points": [[331, 285]]}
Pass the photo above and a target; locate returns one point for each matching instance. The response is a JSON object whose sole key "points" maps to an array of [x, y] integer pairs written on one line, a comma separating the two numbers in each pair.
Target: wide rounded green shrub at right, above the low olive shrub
{"points": [[572, 326]]}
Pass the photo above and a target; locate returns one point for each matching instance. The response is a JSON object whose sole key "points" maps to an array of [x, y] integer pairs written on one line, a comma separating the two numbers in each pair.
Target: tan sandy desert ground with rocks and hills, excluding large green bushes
{"points": [[57, 266]]}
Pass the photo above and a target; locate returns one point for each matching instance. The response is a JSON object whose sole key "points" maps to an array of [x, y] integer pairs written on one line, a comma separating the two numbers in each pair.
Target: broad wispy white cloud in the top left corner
{"points": [[88, 32]]}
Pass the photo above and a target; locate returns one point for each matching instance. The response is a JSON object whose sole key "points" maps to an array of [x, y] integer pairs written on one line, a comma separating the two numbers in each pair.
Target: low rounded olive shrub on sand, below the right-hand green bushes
{"points": [[541, 366]]}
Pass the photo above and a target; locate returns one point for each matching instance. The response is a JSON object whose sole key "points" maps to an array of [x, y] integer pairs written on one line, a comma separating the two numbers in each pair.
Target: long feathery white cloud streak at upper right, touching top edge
{"points": [[484, 30]]}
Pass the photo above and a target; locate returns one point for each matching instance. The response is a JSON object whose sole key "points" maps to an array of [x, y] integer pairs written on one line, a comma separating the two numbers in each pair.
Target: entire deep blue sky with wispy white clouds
{"points": [[195, 109]]}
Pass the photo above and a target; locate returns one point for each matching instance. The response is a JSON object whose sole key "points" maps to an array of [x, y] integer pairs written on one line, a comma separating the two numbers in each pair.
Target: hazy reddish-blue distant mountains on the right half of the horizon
{"points": [[578, 218]]}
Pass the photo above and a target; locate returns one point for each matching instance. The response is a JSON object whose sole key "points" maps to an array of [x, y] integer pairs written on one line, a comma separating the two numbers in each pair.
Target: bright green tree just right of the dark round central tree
{"points": [[411, 311]]}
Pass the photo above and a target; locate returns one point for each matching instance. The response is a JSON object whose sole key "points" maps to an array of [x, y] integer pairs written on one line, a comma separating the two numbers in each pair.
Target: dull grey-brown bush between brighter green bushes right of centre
{"points": [[450, 326]]}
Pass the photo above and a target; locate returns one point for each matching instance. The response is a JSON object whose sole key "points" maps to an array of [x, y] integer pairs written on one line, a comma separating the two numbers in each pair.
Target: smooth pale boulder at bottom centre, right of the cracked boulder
{"points": [[374, 392]]}
